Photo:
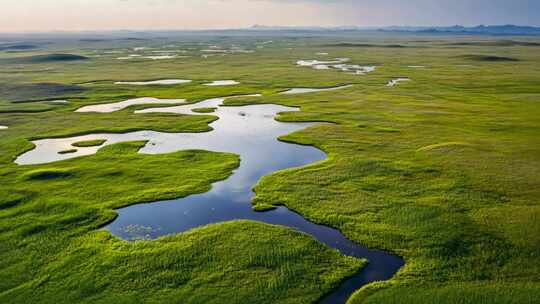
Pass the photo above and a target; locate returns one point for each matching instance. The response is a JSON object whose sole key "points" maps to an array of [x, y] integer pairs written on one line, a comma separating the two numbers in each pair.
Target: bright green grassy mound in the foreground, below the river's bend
{"points": [[223, 263]]}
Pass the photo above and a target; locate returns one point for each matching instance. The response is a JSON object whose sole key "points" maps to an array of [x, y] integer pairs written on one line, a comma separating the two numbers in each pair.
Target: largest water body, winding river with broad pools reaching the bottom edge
{"points": [[251, 132]]}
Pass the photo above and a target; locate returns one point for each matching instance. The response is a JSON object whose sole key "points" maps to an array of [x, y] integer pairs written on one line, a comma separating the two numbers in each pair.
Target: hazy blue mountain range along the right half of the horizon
{"points": [[508, 29]]}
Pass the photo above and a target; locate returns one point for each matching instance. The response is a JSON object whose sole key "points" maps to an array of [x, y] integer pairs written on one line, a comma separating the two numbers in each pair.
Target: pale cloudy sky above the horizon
{"points": [[75, 15]]}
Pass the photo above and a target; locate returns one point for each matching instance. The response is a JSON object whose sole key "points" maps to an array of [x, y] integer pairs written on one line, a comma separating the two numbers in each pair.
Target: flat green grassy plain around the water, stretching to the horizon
{"points": [[443, 170]]}
